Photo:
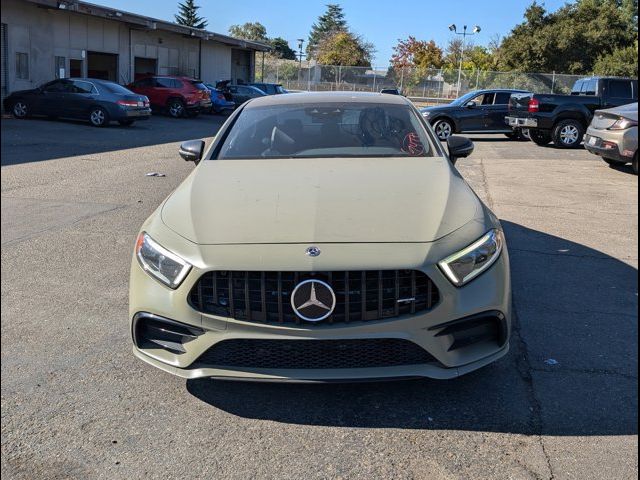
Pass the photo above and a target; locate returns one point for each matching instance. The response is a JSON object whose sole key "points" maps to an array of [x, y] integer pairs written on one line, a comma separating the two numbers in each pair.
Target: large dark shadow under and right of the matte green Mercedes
{"points": [[572, 302]]}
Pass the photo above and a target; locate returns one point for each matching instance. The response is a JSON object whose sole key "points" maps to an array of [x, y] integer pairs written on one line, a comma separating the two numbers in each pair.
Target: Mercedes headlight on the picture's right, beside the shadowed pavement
{"points": [[464, 266]]}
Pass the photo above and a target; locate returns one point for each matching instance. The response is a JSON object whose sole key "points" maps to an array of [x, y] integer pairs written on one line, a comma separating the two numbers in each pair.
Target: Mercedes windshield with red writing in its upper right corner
{"points": [[327, 130]]}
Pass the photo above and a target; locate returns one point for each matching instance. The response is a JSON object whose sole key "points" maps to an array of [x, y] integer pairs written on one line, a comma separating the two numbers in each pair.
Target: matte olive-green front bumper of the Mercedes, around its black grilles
{"points": [[489, 292]]}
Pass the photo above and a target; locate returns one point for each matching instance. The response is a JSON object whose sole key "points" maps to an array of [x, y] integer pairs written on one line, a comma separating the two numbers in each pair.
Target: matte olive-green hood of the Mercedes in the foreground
{"points": [[355, 200]]}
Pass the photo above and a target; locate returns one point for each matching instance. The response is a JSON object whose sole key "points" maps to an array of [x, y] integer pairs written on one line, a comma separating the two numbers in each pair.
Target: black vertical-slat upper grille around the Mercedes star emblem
{"points": [[360, 295]]}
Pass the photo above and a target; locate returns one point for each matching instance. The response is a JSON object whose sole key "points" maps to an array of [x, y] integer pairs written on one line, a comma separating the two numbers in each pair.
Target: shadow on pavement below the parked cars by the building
{"points": [[39, 139]]}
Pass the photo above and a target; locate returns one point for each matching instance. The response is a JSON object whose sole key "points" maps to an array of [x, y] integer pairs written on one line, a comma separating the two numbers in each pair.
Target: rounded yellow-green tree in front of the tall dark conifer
{"points": [[344, 49]]}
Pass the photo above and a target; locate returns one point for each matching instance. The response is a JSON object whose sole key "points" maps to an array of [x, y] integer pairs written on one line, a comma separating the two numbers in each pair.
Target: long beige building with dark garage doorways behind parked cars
{"points": [[46, 39]]}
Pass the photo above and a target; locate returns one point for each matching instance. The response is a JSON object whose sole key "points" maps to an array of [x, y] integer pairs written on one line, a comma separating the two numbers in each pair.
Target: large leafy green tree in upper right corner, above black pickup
{"points": [[572, 39]]}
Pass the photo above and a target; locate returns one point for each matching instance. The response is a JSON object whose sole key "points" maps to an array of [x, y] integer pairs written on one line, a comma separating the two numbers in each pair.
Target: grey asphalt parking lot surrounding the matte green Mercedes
{"points": [[77, 404]]}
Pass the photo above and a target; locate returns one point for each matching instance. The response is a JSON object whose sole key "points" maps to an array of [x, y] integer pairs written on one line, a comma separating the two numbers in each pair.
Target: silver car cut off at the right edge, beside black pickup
{"points": [[613, 135]]}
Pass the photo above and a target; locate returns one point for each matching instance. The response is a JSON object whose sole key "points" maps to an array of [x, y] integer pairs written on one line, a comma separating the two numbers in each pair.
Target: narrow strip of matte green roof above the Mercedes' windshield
{"points": [[327, 97]]}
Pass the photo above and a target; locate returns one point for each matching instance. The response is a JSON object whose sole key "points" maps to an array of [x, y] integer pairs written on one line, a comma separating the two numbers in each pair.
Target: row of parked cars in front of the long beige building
{"points": [[101, 101]]}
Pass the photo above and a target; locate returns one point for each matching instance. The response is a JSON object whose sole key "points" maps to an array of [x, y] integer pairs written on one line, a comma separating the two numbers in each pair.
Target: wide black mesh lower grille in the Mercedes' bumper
{"points": [[315, 354]]}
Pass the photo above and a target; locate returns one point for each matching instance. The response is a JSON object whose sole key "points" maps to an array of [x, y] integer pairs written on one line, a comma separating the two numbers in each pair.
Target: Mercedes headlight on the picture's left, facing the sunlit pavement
{"points": [[159, 262]]}
